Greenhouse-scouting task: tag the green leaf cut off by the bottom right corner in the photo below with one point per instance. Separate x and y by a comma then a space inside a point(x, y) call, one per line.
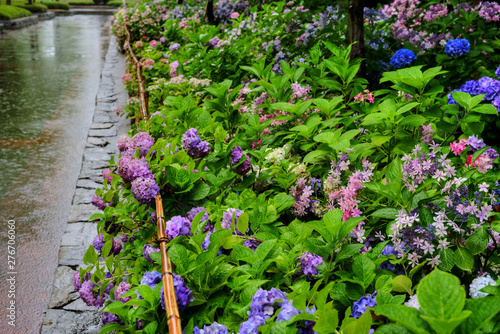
point(483, 310)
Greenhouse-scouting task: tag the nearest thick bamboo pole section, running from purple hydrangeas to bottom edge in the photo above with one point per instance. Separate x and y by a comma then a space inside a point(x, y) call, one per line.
point(173, 317)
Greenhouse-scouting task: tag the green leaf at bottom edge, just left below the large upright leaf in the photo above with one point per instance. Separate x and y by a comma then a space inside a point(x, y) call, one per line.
point(408, 317)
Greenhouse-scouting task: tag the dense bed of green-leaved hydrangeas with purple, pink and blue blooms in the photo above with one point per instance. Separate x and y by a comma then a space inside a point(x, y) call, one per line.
point(299, 197)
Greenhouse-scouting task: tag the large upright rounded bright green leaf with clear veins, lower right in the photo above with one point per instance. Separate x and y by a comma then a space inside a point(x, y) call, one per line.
point(440, 295)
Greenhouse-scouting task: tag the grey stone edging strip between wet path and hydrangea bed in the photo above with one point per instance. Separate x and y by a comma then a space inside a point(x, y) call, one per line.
point(66, 312)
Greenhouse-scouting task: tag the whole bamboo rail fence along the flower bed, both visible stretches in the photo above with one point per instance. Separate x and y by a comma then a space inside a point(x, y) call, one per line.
point(173, 317)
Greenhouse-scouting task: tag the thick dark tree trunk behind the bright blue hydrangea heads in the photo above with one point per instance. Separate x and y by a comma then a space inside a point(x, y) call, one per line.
point(356, 33)
